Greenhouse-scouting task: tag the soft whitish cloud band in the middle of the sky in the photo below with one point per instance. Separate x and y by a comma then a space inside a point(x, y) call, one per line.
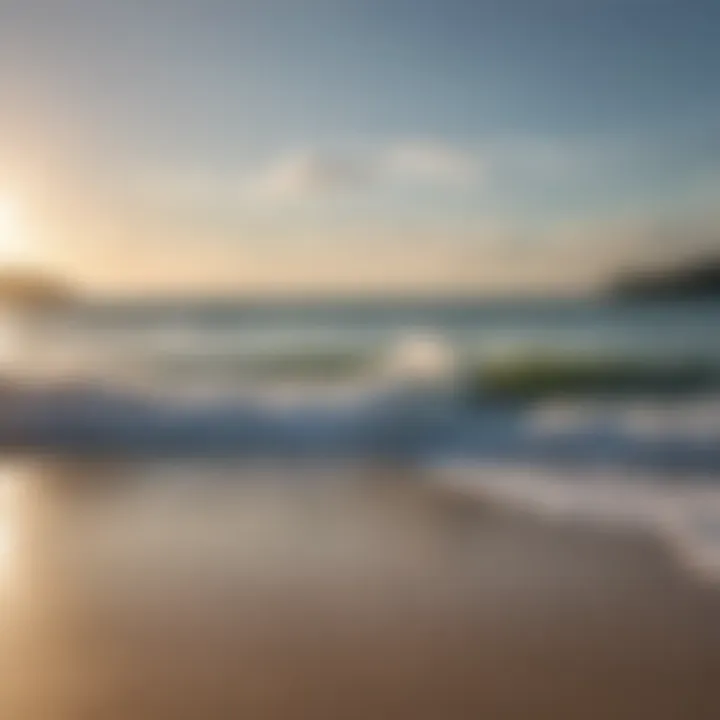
point(493, 165)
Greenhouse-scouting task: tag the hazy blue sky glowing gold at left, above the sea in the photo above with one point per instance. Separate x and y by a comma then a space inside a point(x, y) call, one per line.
point(359, 145)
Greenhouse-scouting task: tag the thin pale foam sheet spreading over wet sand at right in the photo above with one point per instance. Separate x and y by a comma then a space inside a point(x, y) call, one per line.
point(685, 512)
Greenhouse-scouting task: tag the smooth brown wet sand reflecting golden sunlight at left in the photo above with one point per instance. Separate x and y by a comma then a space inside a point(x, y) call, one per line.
point(199, 592)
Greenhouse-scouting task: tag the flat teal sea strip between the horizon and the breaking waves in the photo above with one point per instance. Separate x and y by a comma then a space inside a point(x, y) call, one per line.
point(246, 335)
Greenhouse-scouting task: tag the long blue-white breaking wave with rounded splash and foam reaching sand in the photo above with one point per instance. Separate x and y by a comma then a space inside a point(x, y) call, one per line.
point(649, 464)
